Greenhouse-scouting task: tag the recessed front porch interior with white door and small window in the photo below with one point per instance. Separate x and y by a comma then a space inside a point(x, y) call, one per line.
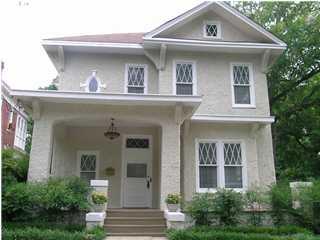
point(130, 163)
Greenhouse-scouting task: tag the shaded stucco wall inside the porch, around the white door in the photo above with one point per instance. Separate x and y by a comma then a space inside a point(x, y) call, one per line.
point(110, 155)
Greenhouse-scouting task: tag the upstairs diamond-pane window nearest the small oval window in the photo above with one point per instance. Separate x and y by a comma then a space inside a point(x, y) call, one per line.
point(136, 78)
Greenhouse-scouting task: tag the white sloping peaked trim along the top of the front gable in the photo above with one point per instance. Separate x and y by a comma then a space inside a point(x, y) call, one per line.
point(196, 11)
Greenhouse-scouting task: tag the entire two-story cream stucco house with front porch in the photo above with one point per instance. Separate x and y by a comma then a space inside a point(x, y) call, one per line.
point(189, 99)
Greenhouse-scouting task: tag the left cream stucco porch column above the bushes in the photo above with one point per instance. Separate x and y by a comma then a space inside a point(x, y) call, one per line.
point(40, 155)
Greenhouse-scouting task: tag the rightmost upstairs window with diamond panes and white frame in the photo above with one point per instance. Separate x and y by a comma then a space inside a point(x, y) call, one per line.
point(242, 85)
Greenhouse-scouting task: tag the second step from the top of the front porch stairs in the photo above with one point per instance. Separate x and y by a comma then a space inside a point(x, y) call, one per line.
point(135, 221)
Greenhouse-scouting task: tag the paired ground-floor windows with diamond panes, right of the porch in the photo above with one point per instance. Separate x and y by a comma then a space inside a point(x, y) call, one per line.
point(220, 164)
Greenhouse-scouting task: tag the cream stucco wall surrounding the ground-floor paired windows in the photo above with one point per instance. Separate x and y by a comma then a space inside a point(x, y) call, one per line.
point(258, 153)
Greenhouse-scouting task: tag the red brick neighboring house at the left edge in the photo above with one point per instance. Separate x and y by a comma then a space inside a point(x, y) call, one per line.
point(13, 122)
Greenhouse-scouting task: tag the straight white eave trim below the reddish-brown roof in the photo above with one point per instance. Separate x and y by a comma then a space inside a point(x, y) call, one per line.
point(90, 44)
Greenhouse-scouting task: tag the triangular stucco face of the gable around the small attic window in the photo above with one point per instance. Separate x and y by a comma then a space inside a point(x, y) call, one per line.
point(229, 32)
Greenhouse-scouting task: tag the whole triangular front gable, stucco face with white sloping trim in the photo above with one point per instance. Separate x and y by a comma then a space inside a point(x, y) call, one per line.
point(235, 27)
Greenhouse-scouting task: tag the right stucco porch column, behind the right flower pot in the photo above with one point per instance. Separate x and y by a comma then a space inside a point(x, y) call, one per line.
point(170, 161)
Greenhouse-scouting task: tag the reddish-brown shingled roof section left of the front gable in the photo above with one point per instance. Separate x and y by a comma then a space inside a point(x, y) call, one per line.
point(134, 38)
